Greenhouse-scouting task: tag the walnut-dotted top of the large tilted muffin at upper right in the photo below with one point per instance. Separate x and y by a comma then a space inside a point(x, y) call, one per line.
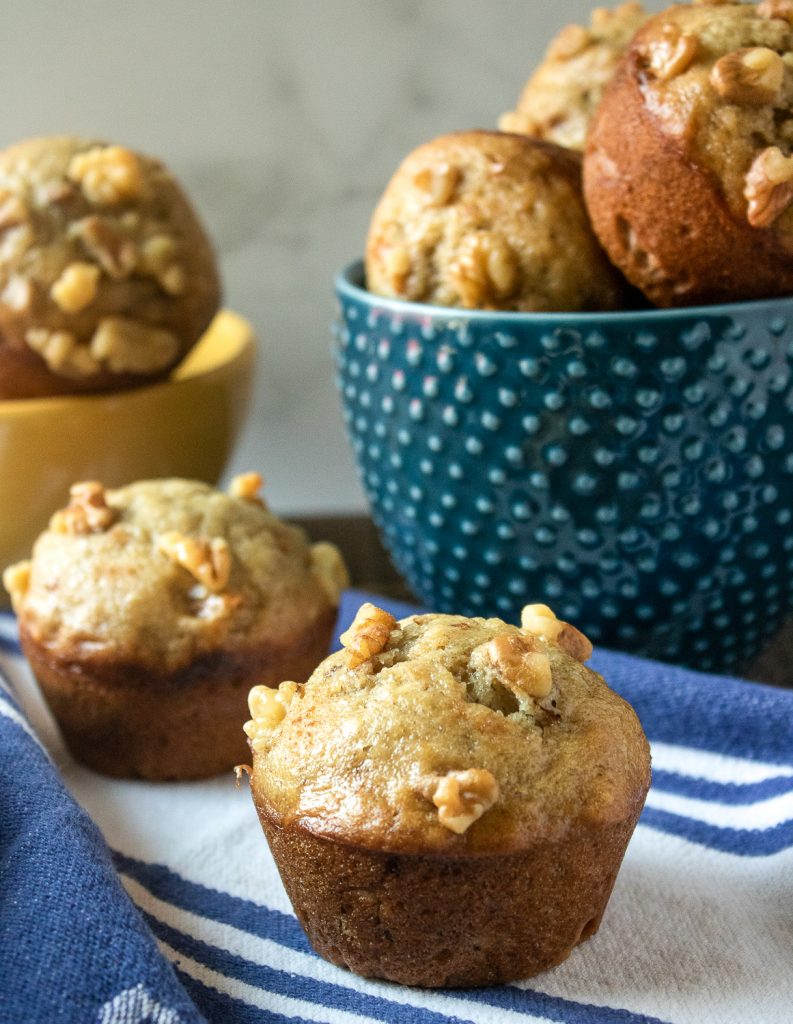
point(718, 78)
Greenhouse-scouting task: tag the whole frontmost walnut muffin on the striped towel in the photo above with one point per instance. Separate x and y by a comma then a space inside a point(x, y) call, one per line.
point(449, 799)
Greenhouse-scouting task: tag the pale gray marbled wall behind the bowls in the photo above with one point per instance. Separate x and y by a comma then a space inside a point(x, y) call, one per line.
point(284, 120)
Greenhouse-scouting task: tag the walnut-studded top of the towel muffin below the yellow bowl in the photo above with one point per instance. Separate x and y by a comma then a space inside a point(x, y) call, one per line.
point(162, 572)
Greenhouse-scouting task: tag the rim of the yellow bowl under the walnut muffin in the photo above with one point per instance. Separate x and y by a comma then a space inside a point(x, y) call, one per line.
point(226, 322)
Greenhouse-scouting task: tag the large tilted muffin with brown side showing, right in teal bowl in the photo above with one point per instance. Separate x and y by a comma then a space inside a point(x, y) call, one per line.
point(689, 172)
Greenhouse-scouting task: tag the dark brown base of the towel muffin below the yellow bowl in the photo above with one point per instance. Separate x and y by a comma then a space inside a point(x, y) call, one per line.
point(131, 722)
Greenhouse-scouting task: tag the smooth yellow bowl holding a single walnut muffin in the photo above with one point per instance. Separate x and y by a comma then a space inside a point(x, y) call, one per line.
point(184, 426)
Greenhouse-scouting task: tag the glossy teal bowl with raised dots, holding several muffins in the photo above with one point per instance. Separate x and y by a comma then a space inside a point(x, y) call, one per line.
point(633, 471)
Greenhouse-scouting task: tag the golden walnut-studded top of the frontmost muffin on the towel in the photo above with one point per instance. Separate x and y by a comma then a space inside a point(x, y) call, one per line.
point(442, 734)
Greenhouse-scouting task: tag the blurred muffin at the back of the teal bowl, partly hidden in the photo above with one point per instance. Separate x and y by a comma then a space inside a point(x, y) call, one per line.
point(560, 99)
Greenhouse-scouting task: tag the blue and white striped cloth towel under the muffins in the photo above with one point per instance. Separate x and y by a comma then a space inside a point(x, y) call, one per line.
point(699, 930)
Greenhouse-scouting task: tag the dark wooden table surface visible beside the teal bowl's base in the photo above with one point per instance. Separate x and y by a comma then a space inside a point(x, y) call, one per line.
point(371, 570)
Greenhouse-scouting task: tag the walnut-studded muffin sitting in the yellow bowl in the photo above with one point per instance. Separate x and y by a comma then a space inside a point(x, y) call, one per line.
point(107, 277)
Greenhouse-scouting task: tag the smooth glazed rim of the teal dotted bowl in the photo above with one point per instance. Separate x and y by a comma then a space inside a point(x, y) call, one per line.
point(350, 285)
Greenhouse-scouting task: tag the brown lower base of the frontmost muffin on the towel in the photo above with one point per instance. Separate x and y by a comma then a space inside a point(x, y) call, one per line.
point(457, 922)
